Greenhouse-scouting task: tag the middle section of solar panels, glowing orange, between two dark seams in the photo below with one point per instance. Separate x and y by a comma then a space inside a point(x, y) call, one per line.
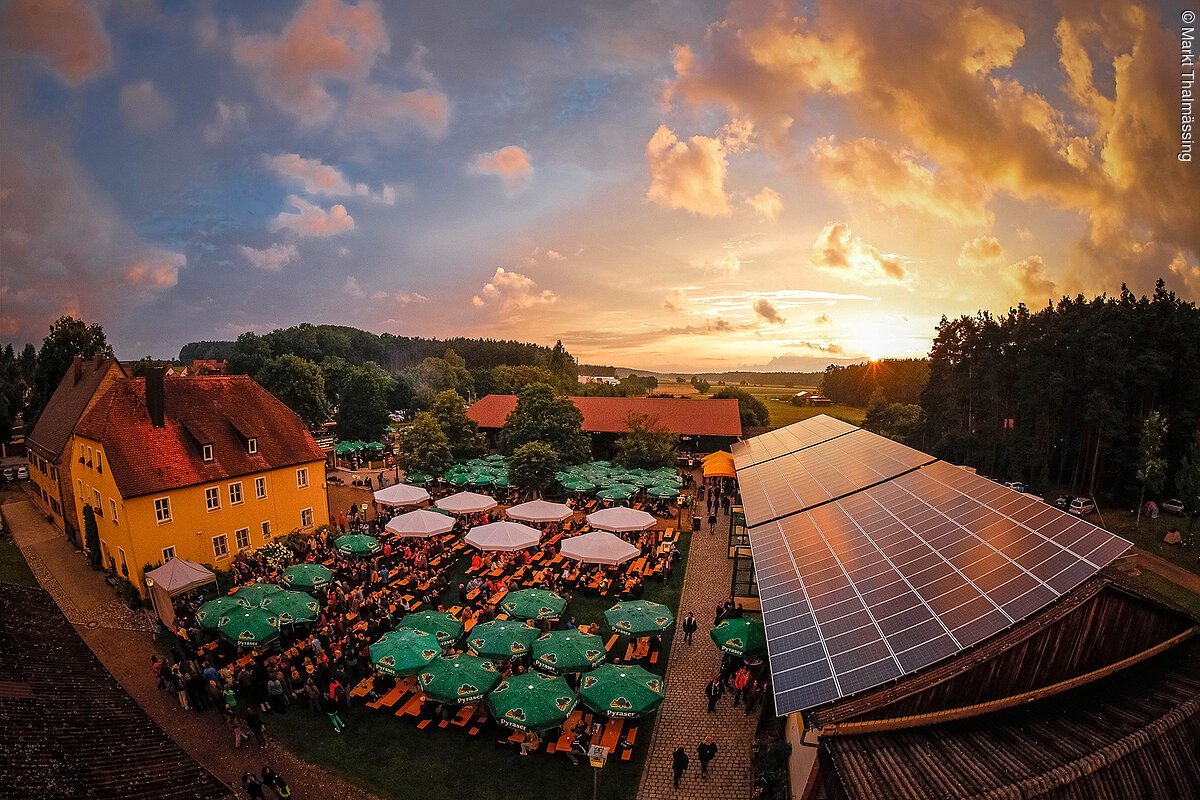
point(823, 472)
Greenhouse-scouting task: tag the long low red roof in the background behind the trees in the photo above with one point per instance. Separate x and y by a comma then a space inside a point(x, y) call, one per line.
point(704, 418)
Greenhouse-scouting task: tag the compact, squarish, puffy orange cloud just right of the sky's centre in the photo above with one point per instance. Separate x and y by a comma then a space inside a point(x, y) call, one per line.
point(688, 176)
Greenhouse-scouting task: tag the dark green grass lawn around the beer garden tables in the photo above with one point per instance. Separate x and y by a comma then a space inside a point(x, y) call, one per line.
point(391, 757)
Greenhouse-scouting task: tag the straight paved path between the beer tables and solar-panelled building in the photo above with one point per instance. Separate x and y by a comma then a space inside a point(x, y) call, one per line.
point(685, 719)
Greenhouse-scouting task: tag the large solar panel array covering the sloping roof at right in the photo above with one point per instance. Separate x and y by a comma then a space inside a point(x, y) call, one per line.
point(879, 582)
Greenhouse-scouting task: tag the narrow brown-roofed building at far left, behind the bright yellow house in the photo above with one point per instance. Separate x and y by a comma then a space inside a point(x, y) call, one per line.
point(51, 444)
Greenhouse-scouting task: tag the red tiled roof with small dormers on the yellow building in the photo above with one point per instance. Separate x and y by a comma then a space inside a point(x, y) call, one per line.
point(146, 460)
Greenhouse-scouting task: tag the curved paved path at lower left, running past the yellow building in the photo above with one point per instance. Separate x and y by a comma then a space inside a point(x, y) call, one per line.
point(123, 641)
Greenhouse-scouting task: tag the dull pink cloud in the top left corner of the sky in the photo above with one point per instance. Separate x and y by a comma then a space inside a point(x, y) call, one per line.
point(67, 35)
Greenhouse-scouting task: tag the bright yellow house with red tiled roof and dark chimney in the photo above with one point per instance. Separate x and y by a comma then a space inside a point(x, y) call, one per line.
point(197, 468)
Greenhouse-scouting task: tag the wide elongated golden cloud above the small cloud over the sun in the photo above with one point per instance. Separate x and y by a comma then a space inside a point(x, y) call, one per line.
point(868, 171)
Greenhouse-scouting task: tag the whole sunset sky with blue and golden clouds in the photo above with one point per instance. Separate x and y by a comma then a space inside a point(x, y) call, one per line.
point(677, 185)
